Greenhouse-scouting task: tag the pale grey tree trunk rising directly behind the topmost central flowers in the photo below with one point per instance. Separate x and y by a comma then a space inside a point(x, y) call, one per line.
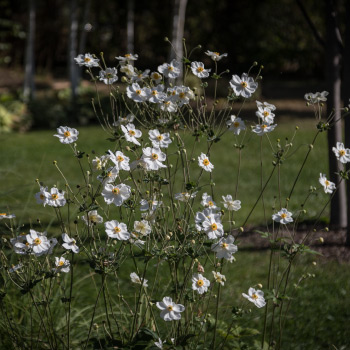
point(178, 30)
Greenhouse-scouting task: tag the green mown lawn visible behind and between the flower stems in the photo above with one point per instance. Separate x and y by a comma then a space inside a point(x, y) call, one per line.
point(319, 314)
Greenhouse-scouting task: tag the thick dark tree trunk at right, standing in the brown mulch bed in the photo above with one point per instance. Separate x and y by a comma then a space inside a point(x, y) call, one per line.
point(333, 62)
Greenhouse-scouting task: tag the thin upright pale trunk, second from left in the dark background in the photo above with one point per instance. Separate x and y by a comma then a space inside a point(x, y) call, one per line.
point(73, 74)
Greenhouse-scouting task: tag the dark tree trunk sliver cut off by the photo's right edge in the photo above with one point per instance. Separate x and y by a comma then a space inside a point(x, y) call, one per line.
point(346, 97)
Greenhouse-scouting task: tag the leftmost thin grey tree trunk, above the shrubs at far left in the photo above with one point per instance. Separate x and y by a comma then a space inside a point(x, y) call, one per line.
point(29, 82)
